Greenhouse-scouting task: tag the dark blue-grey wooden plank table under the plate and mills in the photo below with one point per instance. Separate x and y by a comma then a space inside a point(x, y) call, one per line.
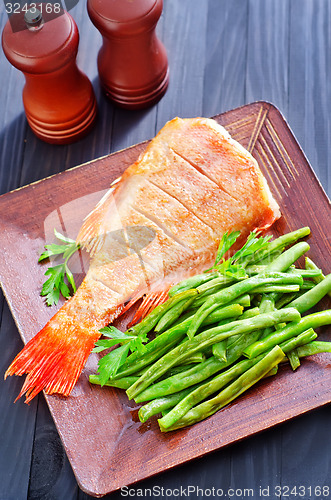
point(222, 54)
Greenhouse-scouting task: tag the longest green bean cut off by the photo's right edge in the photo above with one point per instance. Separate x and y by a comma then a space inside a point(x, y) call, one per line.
point(292, 329)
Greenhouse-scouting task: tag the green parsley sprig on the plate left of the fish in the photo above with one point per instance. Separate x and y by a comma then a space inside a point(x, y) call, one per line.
point(60, 279)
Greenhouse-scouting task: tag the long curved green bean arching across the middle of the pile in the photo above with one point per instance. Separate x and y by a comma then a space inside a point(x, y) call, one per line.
point(204, 339)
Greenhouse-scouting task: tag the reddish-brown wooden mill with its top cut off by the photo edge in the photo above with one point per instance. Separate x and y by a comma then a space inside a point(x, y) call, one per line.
point(132, 62)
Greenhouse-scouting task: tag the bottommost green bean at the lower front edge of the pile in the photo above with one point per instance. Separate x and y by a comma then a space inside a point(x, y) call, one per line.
point(232, 391)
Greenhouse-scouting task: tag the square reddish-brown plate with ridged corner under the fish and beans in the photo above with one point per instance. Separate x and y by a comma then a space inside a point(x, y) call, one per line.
point(99, 427)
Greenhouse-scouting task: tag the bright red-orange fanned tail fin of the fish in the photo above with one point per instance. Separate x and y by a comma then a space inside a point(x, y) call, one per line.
point(53, 359)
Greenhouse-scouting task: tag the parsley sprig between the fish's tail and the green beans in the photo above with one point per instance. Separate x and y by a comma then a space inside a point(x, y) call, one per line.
point(109, 364)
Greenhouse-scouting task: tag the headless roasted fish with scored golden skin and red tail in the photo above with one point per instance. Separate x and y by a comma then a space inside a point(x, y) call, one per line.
point(160, 222)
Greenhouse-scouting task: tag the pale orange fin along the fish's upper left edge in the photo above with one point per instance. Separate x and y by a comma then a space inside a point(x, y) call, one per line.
point(91, 235)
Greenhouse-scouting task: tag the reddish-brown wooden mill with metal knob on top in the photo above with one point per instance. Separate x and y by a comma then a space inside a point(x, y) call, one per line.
point(58, 98)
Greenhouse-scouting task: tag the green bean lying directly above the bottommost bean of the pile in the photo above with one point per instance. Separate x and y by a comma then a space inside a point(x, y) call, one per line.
point(204, 391)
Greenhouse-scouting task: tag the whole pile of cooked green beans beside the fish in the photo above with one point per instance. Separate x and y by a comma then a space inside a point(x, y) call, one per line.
point(216, 335)
